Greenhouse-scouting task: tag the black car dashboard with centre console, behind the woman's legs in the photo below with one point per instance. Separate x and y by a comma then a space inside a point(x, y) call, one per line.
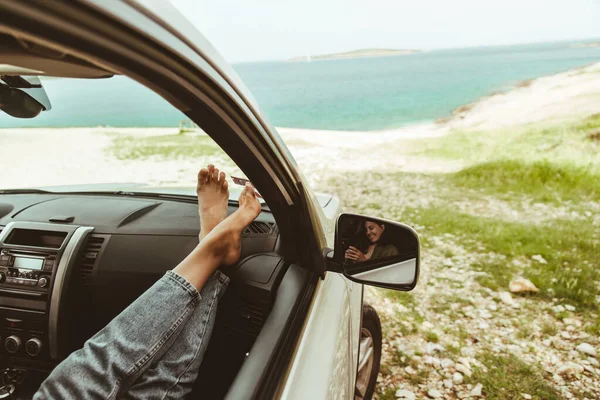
point(70, 263)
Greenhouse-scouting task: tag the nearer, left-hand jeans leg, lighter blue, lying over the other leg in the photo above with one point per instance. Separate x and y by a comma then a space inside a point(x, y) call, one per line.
point(122, 350)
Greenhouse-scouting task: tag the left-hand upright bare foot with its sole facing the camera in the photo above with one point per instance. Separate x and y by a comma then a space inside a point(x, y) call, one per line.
point(213, 195)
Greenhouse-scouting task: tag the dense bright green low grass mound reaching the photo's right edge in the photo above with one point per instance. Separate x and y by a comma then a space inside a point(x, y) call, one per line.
point(541, 180)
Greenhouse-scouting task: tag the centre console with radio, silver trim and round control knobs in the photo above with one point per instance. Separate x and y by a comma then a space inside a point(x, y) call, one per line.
point(36, 260)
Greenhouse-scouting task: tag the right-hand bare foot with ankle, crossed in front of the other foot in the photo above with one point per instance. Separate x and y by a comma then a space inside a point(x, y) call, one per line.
point(226, 237)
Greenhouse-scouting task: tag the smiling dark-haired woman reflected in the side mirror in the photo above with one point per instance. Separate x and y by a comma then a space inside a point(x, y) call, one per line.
point(372, 244)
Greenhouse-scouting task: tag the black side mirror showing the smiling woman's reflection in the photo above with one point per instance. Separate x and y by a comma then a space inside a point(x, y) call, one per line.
point(377, 252)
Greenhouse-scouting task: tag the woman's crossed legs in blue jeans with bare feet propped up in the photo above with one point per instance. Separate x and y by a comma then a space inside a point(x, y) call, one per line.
point(155, 346)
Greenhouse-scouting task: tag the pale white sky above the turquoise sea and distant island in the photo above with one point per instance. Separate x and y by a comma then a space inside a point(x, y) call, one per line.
point(245, 31)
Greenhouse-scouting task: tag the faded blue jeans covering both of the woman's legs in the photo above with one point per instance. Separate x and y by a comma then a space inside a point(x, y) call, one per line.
point(152, 350)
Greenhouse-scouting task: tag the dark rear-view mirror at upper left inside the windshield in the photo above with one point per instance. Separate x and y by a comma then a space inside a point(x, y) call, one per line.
point(22, 97)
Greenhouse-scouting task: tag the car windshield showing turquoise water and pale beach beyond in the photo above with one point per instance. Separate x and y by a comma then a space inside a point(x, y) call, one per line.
point(109, 134)
